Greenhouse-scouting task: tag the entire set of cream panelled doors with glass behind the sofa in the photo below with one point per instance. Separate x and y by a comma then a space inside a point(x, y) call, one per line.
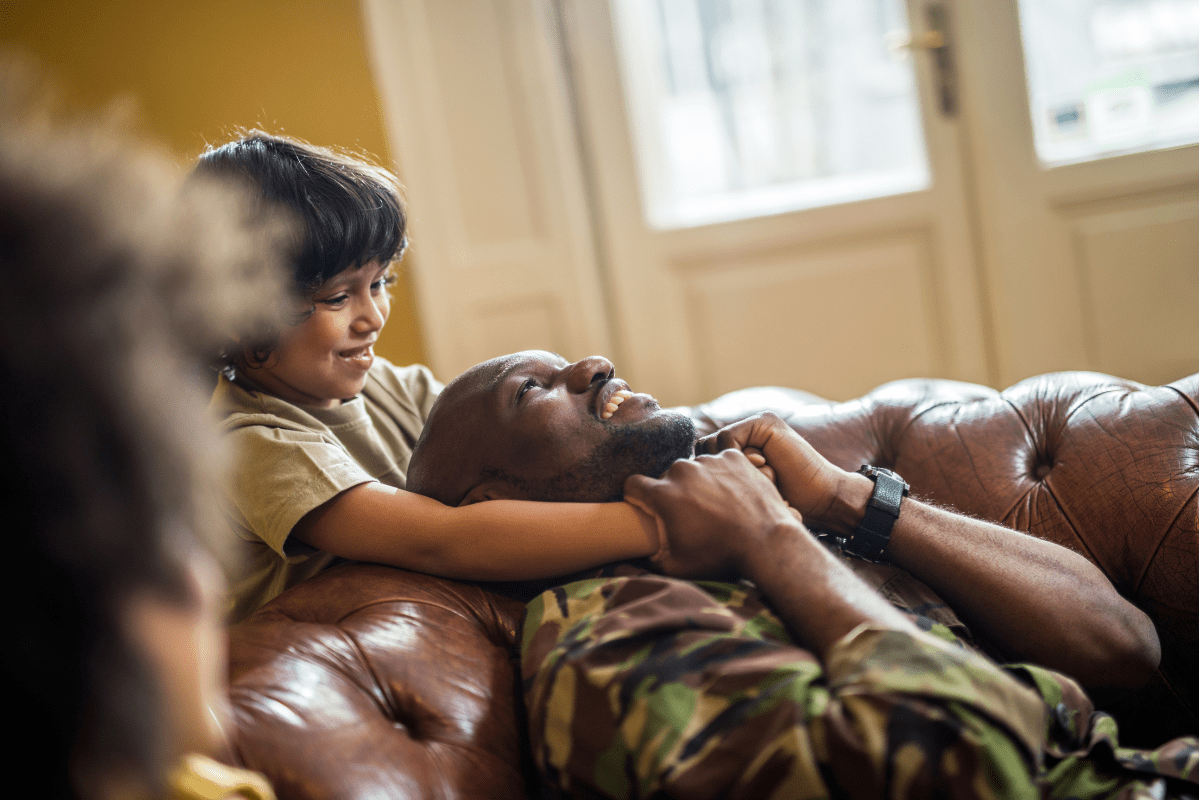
point(538, 221)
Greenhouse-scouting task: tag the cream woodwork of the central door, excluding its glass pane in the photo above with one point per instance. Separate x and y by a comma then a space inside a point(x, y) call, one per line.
point(833, 300)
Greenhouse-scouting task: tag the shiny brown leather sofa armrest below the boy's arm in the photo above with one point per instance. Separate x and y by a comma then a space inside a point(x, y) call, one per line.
point(373, 683)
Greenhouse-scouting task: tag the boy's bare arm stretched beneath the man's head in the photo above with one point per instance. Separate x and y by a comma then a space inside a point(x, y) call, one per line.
point(524, 540)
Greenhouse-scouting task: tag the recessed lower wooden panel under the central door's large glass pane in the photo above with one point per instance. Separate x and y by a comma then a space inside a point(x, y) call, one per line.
point(797, 310)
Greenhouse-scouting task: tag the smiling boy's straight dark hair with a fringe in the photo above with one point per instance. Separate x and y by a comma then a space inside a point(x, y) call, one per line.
point(350, 212)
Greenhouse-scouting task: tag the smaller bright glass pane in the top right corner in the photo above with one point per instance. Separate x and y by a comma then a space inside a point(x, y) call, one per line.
point(1111, 76)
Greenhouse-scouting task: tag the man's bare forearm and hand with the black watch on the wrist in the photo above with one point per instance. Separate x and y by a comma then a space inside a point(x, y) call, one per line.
point(1039, 601)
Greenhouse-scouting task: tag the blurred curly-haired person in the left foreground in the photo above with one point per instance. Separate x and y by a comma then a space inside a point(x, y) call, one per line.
point(116, 285)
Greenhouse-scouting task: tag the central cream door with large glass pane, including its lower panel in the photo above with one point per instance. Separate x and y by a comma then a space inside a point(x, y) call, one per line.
point(823, 293)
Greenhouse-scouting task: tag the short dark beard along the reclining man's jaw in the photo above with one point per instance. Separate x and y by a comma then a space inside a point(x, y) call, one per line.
point(641, 449)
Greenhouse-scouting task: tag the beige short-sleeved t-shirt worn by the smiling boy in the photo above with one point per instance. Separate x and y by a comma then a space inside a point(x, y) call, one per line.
point(289, 460)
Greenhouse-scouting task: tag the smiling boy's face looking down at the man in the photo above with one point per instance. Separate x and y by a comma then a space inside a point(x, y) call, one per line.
point(325, 360)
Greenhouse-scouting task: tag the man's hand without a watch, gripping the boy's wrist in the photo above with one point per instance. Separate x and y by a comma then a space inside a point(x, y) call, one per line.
point(715, 512)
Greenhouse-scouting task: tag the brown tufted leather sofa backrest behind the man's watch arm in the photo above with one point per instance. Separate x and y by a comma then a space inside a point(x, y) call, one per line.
point(1102, 466)
